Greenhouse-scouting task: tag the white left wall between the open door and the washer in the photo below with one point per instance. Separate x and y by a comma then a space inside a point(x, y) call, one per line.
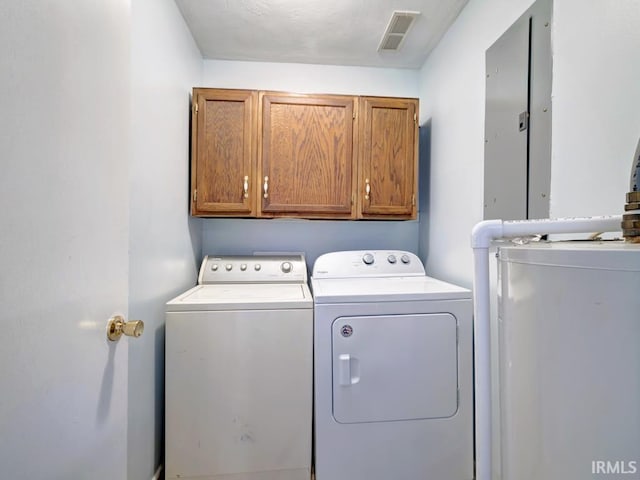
point(164, 239)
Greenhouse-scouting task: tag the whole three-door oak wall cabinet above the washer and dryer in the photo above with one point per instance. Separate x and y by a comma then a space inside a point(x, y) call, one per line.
point(273, 154)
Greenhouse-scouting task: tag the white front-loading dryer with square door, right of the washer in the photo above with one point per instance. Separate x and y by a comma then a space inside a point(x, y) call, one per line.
point(393, 370)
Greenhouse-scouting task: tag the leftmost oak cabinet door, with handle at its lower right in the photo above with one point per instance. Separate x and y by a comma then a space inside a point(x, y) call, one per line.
point(223, 152)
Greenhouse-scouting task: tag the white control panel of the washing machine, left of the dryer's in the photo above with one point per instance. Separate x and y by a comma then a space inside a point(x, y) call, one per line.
point(253, 269)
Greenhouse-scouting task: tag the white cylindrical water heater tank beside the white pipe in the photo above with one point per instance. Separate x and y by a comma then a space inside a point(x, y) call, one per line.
point(569, 356)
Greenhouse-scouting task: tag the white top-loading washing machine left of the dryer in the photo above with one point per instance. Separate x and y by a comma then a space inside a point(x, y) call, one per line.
point(238, 372)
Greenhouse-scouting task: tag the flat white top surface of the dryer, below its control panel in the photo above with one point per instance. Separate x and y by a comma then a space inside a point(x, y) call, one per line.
point(386, 289)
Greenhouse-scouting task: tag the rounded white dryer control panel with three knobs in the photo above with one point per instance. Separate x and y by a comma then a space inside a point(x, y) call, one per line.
point(368, 263)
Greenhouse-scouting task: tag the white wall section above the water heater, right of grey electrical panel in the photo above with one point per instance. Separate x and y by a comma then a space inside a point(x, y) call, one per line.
point(596, 105)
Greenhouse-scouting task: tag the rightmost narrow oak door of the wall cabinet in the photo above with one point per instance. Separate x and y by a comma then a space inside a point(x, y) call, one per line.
point(388, 158)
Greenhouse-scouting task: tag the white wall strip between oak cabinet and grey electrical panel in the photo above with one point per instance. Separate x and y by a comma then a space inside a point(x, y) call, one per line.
point(452, 95)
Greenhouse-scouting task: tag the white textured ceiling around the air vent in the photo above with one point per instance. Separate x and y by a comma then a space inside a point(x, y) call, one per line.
point(333, 32)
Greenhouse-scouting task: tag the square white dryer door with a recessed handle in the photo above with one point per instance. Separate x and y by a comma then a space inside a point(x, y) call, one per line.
point(394, 367)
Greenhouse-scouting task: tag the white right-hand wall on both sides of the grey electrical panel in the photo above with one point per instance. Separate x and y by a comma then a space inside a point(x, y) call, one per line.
point(596, 119)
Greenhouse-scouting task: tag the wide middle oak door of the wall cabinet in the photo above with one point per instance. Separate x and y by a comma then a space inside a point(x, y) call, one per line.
point(306, 155)
